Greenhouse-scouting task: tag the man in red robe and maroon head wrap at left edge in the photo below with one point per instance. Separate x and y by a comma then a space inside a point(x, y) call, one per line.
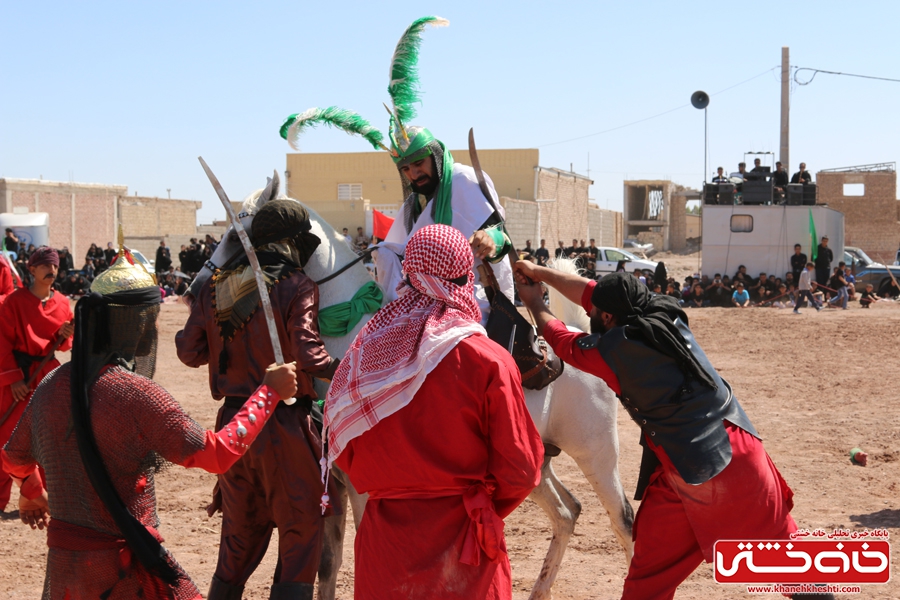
point(31, 321)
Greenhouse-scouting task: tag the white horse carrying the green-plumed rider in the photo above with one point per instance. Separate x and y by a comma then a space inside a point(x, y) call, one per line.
point(575, 414)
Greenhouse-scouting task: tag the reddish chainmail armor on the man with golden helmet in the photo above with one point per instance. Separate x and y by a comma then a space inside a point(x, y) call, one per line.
point(137, 424)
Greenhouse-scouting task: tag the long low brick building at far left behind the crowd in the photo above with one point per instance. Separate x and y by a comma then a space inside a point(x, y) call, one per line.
point(86, 213)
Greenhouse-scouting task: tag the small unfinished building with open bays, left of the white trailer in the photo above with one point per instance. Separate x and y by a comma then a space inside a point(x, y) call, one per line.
point(654, 212)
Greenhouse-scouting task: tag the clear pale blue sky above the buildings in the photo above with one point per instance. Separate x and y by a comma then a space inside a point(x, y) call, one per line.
point(131, 93)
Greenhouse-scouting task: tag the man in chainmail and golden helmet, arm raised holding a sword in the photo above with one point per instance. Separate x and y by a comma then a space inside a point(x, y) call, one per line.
point(101, 428)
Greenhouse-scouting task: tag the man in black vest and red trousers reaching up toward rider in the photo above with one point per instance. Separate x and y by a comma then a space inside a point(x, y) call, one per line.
point(705, 475)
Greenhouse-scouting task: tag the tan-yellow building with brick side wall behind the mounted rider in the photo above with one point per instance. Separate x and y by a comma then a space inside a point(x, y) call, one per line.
point(540, 202)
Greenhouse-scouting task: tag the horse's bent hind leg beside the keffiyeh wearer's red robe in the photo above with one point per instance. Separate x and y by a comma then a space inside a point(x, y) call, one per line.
point(563, 509)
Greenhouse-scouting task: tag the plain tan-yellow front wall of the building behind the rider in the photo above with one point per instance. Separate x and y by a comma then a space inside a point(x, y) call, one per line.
point(315, 176)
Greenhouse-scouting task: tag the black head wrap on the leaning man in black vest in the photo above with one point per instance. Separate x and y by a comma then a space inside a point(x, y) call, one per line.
point(651, 317)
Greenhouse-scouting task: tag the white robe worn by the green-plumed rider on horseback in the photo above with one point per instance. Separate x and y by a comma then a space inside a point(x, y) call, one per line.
point(470, 211)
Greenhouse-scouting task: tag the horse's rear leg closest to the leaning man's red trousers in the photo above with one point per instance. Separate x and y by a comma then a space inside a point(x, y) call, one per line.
point(602, 471)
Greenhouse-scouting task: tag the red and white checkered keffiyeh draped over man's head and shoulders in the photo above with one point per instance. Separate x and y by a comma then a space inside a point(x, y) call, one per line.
point(405, 340)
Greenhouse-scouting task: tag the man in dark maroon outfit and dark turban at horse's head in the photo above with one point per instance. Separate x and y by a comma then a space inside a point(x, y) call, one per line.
point(277, 484)
